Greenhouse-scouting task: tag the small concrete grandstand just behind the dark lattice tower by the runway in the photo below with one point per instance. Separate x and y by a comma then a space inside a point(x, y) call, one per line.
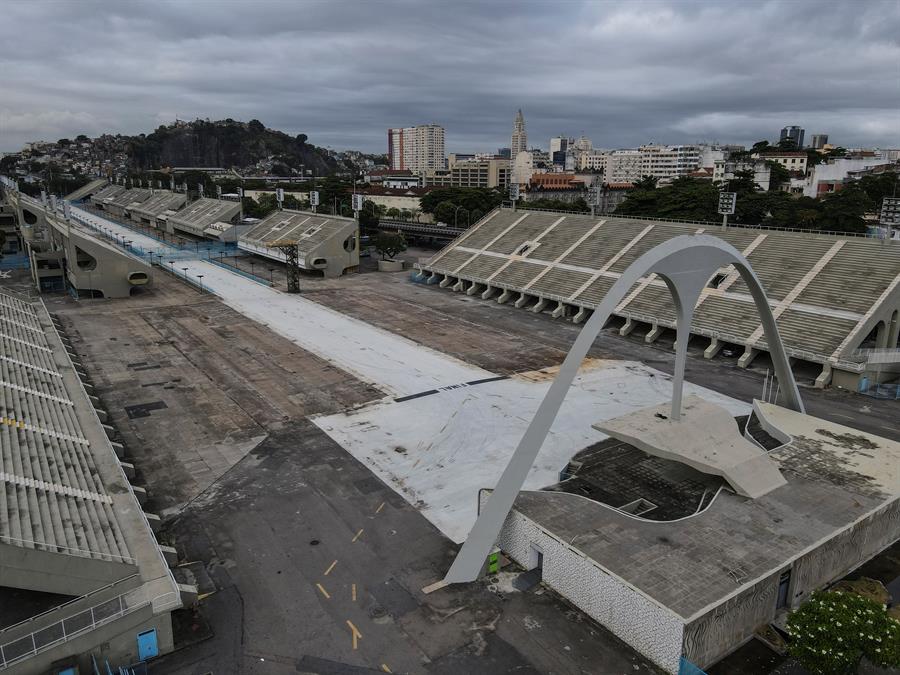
point(326, 243)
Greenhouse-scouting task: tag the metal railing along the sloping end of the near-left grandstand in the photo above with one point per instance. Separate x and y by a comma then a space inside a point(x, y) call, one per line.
point(73, 625)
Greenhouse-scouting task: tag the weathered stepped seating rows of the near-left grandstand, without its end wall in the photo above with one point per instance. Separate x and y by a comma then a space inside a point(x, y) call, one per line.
point(52, 496)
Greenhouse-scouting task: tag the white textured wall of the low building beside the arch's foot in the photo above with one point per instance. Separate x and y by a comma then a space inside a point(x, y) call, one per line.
point(652, 630)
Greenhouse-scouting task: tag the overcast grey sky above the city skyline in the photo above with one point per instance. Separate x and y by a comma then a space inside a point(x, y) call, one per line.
point(623, 73)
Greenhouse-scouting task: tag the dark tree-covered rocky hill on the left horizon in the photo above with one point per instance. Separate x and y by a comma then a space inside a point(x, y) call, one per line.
point(225, 143)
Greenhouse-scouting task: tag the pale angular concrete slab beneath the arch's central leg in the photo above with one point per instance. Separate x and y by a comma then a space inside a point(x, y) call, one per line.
point(705, 438)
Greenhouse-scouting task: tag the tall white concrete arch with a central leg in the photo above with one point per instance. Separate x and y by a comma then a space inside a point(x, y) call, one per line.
point(686, 264)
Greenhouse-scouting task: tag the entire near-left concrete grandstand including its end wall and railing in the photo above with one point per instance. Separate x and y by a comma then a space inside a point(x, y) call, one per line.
point(70, 522)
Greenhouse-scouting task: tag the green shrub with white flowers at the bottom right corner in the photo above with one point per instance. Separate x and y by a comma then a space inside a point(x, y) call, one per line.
point(832, 631)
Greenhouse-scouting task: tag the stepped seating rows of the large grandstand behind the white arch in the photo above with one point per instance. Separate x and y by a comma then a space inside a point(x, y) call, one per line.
point(830, 287)
